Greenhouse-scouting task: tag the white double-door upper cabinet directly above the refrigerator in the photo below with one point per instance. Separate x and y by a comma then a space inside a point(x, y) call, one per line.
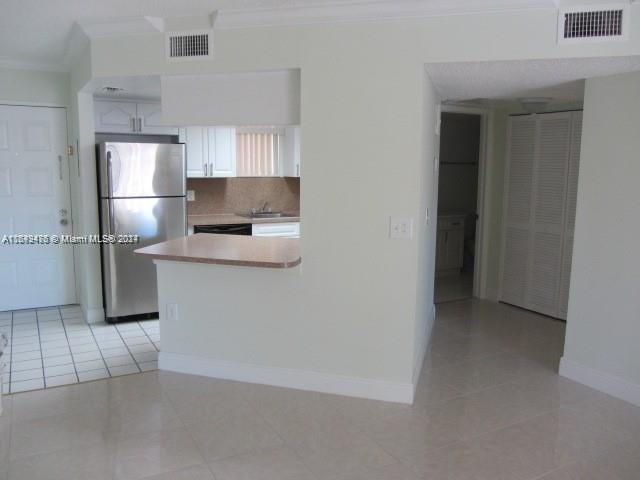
point(130, 117)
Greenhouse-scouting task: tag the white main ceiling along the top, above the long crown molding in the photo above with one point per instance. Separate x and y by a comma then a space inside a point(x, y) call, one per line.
point(39, 31)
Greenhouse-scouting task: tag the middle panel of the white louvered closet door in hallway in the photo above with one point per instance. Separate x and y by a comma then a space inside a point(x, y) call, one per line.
point(549, 195)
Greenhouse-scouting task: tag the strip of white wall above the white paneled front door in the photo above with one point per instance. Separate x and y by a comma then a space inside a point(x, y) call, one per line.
point(34, 87)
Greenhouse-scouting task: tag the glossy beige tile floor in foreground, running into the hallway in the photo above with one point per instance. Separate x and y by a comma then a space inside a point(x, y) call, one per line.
point(489, 406)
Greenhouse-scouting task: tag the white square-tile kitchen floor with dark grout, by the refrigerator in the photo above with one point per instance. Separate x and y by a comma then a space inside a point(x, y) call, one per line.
point(54, 346)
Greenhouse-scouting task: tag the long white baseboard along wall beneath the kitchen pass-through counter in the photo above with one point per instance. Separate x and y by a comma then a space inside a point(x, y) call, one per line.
point(288, 378)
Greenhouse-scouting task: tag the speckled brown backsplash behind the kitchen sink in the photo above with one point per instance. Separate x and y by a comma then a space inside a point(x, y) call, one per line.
point(240, 195)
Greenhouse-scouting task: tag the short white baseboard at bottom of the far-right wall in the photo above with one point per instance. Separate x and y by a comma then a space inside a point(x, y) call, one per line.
point(607, 383)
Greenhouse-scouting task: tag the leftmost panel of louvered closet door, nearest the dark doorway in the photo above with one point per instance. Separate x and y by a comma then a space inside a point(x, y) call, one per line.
point(518, 219)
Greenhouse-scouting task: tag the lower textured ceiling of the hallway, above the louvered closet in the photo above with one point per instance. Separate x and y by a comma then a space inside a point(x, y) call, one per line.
point(560, 79)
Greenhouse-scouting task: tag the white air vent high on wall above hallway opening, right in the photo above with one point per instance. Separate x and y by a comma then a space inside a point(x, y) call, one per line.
point(593, 23)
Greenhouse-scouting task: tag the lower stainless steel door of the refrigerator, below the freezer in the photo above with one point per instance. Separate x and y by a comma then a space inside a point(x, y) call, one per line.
point(129, 280)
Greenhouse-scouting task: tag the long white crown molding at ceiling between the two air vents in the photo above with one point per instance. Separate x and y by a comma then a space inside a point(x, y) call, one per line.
point(372, 10)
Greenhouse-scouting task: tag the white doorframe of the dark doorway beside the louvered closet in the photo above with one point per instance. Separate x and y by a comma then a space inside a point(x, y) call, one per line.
point(483, 228)
